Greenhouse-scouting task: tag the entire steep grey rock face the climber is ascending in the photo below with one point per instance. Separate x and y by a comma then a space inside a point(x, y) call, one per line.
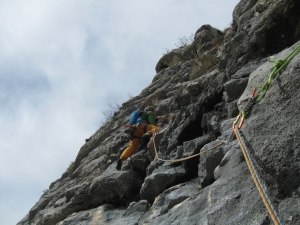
point(200, 89)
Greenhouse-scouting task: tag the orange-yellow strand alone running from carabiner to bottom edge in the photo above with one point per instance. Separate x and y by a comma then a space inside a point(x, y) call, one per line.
point(259, 188)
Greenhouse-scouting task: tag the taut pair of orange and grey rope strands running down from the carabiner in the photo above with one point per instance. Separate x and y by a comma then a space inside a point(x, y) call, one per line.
point(255, 177)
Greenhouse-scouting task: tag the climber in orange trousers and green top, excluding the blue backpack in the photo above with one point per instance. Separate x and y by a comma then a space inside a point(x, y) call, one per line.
point(148, 125)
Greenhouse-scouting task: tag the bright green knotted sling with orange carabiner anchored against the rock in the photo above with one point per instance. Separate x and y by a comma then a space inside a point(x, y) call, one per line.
point(279, 65)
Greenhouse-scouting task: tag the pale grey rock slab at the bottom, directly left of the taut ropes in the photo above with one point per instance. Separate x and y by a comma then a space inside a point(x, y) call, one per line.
point(227, 202)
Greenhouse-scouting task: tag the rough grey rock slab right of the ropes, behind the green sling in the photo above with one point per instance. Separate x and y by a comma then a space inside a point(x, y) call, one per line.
point(274, 142)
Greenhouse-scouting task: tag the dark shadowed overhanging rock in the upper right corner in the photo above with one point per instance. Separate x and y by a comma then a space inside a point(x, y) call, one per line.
point(254, 32)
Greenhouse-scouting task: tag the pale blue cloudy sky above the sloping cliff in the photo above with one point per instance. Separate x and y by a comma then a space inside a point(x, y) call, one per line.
point(62, 62)
